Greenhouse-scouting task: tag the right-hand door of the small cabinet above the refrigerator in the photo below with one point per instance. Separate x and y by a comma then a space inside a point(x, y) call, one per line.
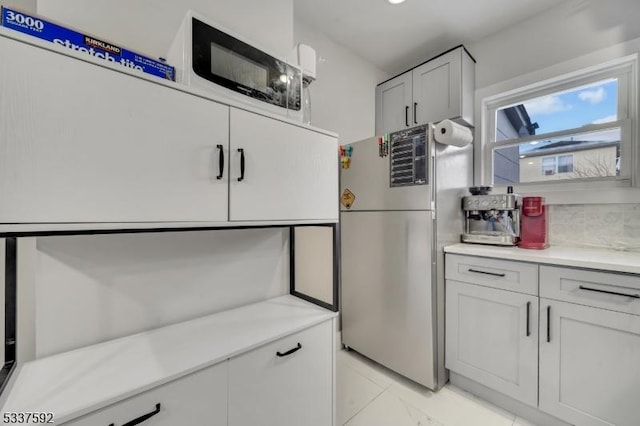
point(437, 87)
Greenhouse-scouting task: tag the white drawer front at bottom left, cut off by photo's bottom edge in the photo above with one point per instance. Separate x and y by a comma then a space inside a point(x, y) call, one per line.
point(197, 399)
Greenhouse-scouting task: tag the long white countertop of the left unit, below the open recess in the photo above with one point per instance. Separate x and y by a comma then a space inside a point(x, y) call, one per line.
point(75, 383)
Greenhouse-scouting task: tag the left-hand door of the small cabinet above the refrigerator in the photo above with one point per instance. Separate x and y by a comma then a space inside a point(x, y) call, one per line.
point(394, 107)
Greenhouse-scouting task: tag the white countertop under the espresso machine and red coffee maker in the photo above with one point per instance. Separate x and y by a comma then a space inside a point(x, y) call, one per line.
point(603, 259)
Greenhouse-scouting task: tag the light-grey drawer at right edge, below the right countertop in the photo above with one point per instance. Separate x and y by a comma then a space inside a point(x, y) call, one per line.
point(617, 292)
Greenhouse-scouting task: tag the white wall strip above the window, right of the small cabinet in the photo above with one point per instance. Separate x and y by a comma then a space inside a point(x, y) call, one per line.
point(573, 29)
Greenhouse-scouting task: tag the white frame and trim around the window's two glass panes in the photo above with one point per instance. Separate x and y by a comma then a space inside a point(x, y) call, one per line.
point(625, 69)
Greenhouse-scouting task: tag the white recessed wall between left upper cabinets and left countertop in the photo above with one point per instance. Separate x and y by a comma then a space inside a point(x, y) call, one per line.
point(94, 288)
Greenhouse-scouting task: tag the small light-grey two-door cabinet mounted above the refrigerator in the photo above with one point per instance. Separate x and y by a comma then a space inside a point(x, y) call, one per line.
point(442, 88)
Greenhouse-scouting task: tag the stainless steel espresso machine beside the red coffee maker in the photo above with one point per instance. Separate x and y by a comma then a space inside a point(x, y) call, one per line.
point(491, 218)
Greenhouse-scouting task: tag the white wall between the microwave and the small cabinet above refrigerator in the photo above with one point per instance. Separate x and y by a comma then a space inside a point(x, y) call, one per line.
point(343, 96)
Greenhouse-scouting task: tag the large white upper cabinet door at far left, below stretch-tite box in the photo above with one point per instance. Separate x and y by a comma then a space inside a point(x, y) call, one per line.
point(83, 143)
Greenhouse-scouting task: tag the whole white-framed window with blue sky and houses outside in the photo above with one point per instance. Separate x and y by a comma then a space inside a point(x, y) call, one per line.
point(573, 128)
